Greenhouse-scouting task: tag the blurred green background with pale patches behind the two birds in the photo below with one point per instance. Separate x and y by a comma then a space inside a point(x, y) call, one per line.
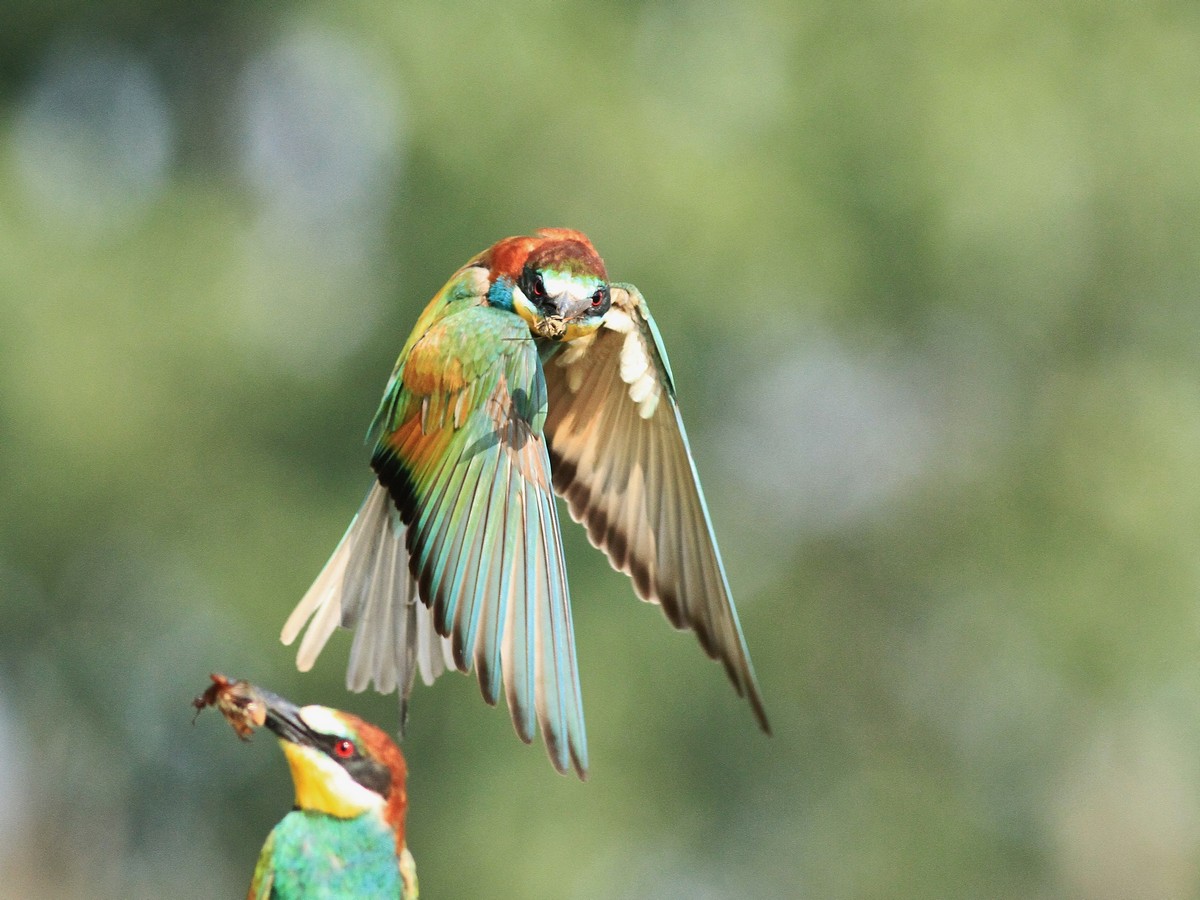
point(928, 275)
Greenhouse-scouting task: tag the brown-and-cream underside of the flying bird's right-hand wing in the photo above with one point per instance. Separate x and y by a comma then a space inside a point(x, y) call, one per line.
point(621, 459)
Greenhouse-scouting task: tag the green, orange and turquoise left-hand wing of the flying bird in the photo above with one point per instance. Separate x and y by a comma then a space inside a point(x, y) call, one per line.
point(465, 460)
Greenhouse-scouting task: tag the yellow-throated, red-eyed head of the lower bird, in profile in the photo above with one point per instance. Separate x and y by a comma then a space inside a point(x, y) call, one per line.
point(340, 765)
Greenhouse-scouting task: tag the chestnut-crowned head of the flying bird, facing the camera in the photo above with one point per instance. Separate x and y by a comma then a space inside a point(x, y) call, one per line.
point(555, 280)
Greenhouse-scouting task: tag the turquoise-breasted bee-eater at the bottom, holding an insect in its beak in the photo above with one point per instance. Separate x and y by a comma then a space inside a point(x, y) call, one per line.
point(346, 836)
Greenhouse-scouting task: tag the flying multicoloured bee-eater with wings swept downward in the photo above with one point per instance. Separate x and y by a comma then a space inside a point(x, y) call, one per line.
point(527, 375)
